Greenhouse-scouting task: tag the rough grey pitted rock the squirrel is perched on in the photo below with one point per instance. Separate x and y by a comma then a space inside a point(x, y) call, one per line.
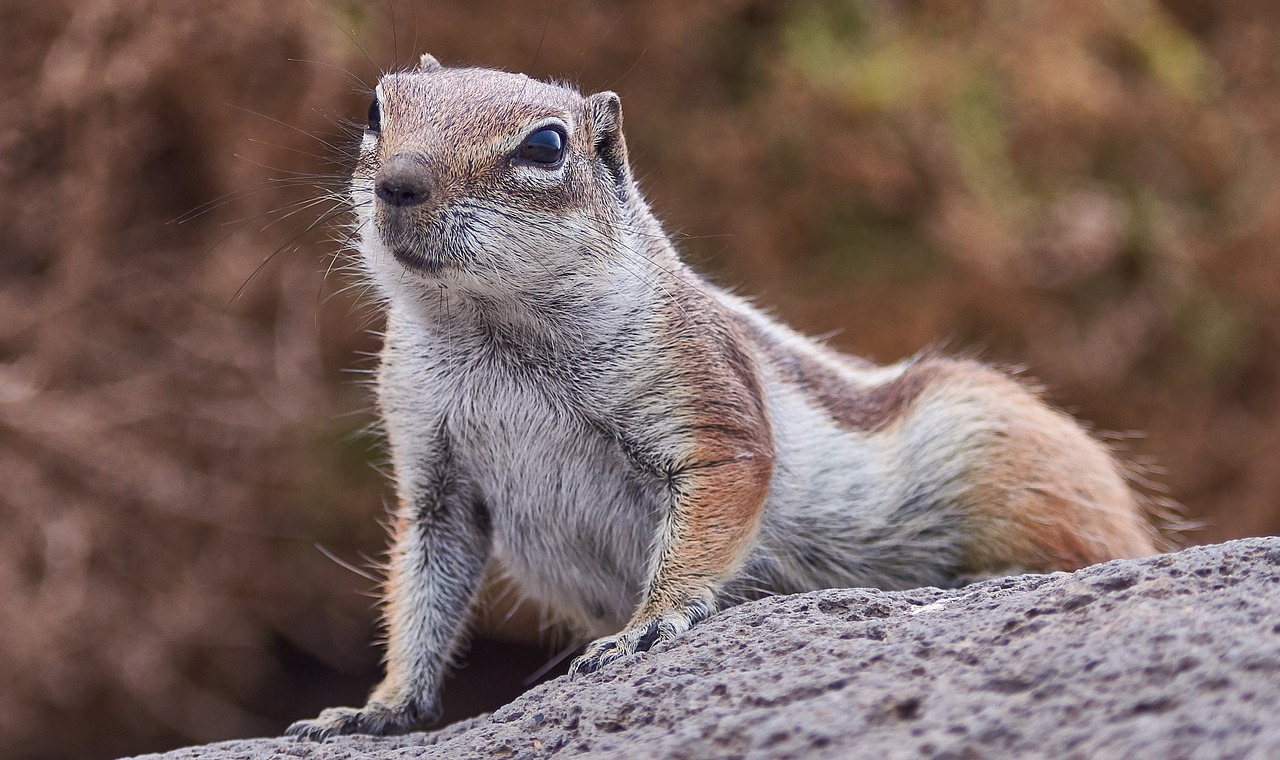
point(1169, 657)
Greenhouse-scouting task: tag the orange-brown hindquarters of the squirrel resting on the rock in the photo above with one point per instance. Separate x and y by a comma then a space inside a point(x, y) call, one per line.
point(1039, 493)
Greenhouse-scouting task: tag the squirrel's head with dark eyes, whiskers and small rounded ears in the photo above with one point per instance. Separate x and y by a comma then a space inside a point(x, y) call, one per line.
point(470, 172)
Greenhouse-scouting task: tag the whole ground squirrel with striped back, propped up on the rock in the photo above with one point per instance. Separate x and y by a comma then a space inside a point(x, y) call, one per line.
point(636, 446)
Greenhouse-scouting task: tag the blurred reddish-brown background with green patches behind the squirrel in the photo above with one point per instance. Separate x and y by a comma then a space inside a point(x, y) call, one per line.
point(1089, 190)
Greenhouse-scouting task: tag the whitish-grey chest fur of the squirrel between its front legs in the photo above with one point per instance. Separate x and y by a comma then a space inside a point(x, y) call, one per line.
point(572, 521)
